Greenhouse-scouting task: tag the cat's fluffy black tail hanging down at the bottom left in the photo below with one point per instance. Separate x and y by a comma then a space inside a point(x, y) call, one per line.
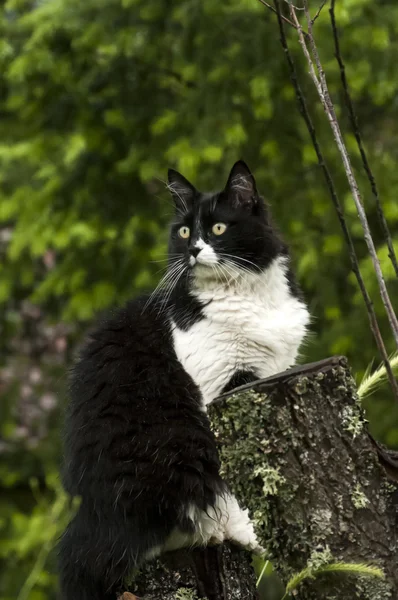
point(95, 557)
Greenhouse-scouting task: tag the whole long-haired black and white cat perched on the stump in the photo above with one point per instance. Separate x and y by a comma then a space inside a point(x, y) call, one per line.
point(138, 449)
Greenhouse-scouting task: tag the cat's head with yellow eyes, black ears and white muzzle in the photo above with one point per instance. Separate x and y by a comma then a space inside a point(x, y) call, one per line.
point(214, 234)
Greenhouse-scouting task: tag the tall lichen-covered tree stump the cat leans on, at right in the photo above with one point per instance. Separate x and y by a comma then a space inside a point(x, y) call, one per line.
point(296, 451)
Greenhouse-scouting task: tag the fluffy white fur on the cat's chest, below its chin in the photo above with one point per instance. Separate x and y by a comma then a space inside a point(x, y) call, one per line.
point(252, 324)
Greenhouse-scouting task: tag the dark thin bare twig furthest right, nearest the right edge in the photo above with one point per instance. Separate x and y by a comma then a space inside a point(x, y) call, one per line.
point(358, 137)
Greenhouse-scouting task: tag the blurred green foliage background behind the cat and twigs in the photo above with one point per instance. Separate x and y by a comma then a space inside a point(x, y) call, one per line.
point(97, 99)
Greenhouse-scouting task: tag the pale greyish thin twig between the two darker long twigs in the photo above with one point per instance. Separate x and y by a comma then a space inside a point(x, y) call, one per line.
point(323, 92)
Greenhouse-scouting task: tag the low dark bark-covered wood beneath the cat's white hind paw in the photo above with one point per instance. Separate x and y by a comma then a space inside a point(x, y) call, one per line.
point(216, 572)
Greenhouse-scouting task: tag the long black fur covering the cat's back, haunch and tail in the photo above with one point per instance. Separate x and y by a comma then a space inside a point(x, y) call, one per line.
point(138, 450)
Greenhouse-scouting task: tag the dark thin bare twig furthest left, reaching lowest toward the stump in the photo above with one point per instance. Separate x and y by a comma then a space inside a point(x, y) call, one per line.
point(332, 191)
